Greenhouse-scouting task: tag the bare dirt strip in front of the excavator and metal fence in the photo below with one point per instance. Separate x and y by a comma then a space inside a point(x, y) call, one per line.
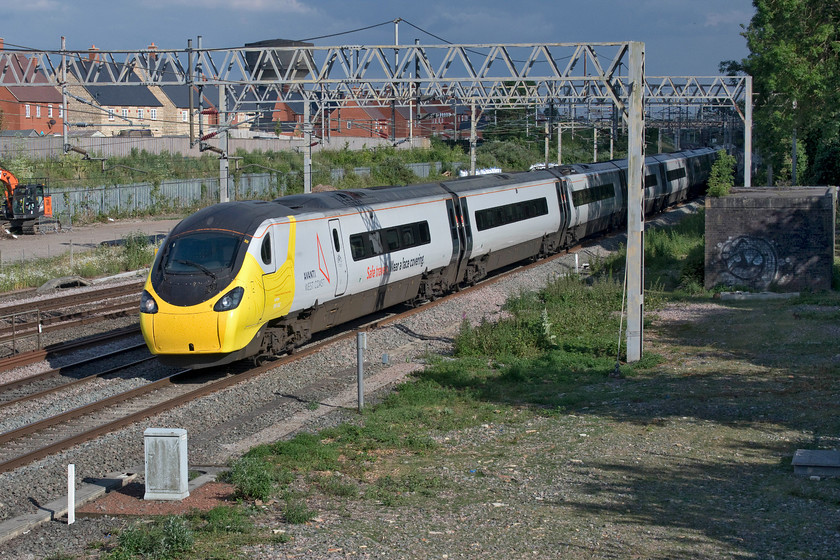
point(77, 238)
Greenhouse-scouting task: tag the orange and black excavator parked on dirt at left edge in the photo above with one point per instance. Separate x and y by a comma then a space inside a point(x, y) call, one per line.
point(27, 208)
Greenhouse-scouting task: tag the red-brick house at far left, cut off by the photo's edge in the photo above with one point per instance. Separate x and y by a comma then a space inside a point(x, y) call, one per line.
point(28, 107)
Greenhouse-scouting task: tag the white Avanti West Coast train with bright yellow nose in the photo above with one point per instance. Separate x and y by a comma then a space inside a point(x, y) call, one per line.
point(256, 279)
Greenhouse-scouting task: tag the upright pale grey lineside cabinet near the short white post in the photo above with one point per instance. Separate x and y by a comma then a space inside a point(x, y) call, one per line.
point(167, 476)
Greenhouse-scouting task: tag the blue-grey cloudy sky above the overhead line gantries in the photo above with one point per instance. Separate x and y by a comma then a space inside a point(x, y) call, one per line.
point(682, 37)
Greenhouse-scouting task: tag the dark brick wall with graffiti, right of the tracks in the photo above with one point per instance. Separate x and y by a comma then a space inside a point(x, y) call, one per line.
point(771, 239)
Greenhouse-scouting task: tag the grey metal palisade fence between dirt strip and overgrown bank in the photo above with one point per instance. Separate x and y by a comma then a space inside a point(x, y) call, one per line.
point(85, 204)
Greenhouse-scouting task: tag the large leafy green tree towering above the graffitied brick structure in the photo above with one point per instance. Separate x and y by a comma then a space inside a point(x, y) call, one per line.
point(795, 63)
